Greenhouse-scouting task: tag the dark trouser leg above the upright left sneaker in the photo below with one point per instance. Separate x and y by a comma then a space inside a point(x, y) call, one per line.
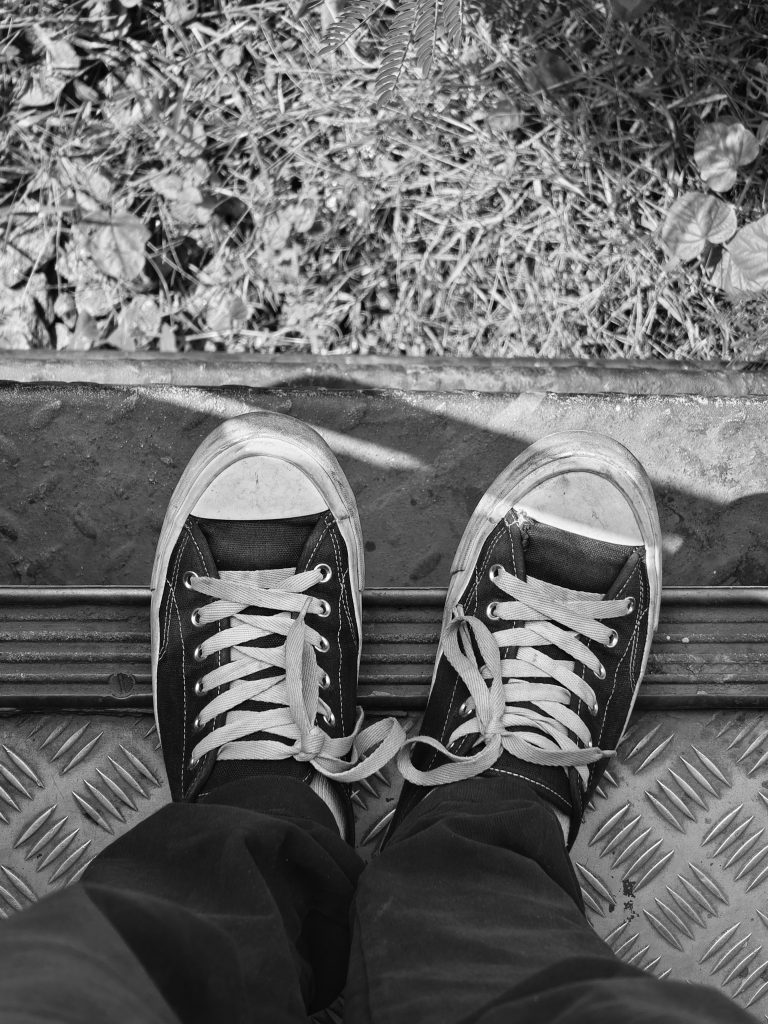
point(234, 909)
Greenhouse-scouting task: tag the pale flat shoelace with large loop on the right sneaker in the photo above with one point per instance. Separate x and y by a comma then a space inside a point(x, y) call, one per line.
point(541, 735)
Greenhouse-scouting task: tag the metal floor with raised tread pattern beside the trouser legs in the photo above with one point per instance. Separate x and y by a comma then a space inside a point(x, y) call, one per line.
point(673, 856)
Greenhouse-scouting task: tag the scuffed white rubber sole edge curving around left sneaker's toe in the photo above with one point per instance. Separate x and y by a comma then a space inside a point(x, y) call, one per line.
point(258, 435)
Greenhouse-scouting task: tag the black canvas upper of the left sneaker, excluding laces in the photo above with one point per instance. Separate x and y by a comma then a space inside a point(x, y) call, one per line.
point(209, 547)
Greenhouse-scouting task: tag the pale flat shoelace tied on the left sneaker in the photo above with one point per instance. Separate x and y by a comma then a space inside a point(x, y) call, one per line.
point(295, 688)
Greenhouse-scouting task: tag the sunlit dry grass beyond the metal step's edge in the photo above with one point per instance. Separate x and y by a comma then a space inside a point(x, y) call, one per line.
point(507, 205)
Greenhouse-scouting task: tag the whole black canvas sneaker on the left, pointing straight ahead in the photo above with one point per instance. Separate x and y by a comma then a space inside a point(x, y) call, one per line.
point(257, 612)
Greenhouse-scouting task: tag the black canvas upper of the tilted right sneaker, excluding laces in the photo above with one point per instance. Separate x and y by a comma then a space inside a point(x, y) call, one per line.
point(526, 547)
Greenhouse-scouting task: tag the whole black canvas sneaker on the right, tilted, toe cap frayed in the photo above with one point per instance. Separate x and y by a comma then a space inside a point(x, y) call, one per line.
point(554, 598)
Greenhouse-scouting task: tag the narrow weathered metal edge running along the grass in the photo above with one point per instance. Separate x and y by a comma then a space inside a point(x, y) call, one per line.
point(495, 376)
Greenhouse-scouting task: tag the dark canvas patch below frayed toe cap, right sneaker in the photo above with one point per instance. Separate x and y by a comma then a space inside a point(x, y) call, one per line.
point(571, 561)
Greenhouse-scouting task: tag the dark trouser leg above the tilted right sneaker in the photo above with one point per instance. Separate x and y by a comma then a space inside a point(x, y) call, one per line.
point(474, 913)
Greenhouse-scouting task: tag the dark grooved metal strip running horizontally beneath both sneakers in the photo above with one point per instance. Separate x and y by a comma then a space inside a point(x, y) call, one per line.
point(90, 648)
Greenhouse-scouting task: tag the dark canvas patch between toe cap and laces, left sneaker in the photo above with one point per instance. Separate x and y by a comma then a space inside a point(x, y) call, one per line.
point(266, 544)
